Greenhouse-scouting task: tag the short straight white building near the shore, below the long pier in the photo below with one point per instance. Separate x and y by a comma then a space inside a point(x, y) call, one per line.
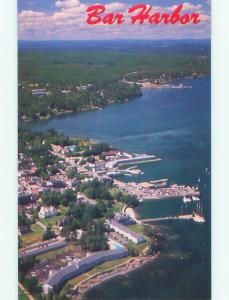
point(126, 232)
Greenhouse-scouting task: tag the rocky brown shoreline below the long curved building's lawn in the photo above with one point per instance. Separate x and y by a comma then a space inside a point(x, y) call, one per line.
point(112, 273)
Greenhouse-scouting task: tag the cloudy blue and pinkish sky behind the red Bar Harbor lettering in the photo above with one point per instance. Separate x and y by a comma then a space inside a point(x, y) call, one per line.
point(66, 20)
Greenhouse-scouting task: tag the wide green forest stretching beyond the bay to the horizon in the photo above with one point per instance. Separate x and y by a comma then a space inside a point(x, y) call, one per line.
point(76, 80)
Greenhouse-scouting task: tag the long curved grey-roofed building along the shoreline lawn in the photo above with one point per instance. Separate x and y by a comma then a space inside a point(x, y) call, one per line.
point(76, 268)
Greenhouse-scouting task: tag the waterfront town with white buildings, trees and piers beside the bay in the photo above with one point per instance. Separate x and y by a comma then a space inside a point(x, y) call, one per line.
point(77, 226)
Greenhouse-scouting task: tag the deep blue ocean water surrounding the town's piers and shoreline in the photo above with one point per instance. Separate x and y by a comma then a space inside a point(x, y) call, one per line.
point(175, 125)
